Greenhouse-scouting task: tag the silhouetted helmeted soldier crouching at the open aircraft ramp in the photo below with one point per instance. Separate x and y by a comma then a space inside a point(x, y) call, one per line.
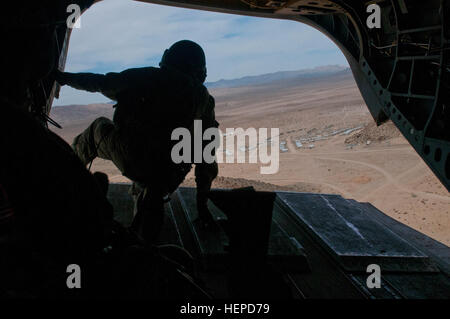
point(152, 102)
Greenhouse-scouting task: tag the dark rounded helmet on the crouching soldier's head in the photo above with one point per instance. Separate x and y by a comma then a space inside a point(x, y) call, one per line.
point(186, 56)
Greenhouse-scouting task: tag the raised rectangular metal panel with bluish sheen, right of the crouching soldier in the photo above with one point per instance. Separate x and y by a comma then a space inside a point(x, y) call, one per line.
point(348, 232)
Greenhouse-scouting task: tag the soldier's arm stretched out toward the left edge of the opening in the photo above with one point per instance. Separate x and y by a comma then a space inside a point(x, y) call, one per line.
point(109, 84)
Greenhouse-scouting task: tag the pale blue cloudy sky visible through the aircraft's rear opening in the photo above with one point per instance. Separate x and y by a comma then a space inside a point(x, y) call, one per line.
point(119, 34)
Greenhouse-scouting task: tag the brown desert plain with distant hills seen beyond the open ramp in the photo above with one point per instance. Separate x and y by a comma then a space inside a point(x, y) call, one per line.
point(330, 144)
